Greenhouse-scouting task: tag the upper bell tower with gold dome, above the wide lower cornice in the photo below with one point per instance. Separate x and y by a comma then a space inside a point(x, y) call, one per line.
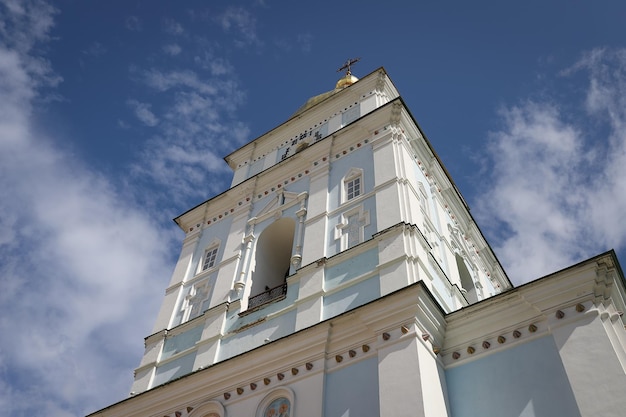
point(344, 203)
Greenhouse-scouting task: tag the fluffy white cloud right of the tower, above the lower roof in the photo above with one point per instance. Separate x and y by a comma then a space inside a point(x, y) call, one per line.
point(557, 185)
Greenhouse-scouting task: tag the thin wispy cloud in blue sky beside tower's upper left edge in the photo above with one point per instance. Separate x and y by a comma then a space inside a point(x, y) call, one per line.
point(197, 128)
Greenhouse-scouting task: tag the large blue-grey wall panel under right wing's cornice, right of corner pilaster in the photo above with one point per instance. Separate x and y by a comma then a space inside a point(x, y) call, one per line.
point(528, 380)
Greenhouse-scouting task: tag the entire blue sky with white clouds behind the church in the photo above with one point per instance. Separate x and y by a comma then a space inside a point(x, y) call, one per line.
point(115, 117)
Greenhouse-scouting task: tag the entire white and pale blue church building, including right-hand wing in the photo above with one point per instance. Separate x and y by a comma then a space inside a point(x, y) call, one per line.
point(342, 275)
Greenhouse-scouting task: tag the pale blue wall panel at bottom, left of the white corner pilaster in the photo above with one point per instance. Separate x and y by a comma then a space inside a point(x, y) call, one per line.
point(353, 391)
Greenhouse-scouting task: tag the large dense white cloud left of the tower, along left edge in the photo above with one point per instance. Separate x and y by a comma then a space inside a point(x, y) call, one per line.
point(81, 265)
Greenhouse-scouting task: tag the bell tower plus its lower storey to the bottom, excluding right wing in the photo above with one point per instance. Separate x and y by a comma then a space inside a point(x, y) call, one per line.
point(322, 275)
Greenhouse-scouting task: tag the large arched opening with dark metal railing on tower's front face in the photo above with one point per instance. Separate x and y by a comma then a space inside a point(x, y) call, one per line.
point(273, 257)
